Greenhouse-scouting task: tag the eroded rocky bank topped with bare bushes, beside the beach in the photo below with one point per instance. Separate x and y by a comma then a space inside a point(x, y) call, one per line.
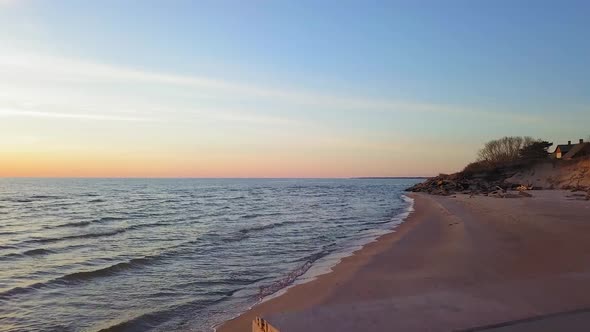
point(517, 164)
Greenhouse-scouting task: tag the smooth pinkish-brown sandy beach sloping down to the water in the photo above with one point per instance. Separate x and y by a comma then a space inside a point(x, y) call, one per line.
point(457, 263)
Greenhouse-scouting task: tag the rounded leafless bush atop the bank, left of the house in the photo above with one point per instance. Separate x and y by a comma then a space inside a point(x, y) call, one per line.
point(504, 150)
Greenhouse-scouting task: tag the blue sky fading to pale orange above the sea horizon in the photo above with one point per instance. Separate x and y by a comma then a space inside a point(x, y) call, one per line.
point(141, 88)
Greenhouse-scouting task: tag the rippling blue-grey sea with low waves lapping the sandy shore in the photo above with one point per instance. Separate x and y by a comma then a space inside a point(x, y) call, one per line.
point(172, 254)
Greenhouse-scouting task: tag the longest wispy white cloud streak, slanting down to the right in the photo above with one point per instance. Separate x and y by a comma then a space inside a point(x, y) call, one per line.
point(47, 68)
